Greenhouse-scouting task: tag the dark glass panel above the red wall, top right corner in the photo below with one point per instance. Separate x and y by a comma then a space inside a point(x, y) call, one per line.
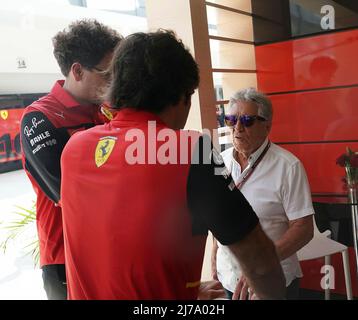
point(282, 20)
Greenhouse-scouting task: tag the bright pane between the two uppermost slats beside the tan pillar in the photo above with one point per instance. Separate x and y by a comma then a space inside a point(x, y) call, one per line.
point(229, 24)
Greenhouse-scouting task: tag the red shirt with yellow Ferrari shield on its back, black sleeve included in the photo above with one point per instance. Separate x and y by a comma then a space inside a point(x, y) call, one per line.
point(128, 230)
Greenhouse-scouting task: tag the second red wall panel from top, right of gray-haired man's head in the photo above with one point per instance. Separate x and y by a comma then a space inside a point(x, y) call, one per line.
point(315, 116)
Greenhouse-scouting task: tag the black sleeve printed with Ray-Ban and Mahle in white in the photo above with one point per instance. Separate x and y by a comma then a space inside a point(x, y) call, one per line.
point(42, 145)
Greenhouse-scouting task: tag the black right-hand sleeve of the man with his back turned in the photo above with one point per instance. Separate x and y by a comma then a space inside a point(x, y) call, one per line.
point(213, 199)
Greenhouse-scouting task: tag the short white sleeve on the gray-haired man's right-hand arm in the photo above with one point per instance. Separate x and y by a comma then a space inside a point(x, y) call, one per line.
point(297, 200)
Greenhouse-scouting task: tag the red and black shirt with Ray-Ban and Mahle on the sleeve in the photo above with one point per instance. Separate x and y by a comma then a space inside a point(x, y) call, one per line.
point(46, 126)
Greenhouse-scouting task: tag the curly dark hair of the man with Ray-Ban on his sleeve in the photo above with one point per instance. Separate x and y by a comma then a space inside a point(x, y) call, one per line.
point(86, 42)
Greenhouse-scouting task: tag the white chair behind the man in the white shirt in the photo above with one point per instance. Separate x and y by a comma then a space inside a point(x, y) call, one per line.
point(322, 246)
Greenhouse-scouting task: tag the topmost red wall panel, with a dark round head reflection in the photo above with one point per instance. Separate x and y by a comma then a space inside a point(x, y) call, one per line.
point(323, 61)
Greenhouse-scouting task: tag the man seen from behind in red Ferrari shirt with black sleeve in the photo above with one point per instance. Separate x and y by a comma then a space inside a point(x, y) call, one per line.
point(139, 194)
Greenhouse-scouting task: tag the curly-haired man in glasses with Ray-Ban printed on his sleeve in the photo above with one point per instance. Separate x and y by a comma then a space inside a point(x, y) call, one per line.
point(83, 53)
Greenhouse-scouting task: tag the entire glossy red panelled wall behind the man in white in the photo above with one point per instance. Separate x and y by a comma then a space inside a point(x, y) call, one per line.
point(313, 85)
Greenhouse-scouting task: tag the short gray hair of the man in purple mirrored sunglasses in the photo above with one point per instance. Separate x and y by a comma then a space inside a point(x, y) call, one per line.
point(252, 95)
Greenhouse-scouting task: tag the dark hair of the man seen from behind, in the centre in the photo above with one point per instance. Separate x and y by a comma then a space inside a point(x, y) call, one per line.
point(151, 71)
